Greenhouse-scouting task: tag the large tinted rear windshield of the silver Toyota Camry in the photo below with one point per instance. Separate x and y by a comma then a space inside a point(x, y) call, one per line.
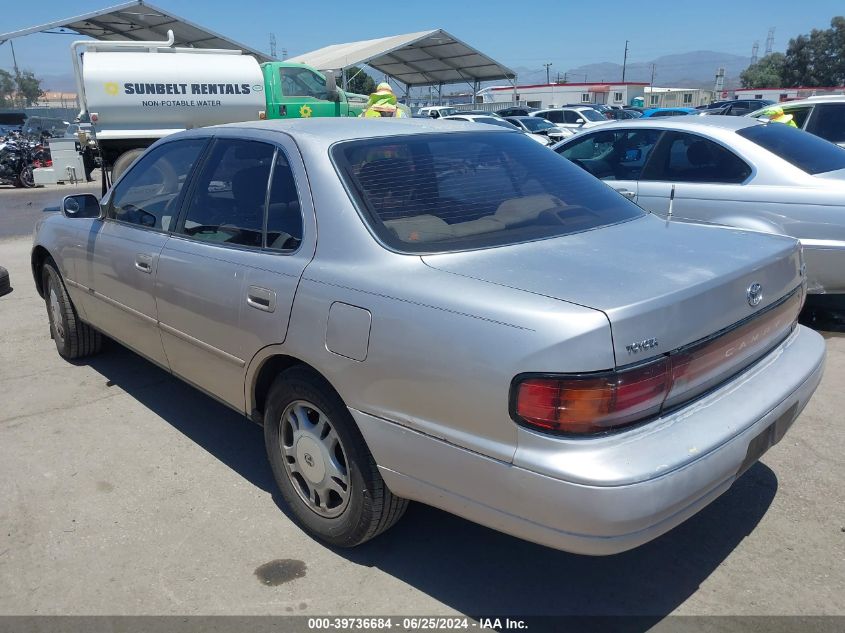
point(435, 193)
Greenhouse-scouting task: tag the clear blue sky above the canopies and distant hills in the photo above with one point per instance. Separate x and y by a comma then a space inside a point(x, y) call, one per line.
point(519, 34)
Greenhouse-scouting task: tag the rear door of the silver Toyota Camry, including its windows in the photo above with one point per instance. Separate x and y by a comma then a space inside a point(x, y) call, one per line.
point(227, 277)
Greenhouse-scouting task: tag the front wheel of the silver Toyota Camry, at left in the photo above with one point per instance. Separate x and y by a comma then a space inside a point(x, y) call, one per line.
point(73, 337)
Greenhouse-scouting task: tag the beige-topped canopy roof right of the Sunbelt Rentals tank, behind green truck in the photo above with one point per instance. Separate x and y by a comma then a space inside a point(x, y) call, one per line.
point(425, 58)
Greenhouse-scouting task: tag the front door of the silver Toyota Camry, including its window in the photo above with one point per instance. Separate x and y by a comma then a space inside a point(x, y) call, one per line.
point(118, 268)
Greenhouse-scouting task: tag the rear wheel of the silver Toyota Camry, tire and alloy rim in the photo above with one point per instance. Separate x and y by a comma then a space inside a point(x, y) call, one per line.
point(314, 446)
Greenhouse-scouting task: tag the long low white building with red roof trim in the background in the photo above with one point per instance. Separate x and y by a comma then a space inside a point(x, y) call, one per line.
point(556, 95)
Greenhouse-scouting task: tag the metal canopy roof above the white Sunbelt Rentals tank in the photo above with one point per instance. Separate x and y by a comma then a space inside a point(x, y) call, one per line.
point(139, 21)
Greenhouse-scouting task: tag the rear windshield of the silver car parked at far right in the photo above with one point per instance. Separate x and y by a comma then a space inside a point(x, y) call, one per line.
point(806, 151)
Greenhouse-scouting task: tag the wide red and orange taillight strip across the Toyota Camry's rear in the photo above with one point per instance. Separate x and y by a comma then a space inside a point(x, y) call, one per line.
point(593, 403)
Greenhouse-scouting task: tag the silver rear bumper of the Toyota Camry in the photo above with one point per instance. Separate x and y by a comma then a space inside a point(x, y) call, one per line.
point(607, 495)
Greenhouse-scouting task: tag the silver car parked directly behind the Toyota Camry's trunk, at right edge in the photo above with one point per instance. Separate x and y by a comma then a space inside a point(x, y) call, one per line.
point(734, 171)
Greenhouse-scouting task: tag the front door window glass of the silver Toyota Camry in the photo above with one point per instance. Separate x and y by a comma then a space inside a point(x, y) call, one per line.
point(148, 195)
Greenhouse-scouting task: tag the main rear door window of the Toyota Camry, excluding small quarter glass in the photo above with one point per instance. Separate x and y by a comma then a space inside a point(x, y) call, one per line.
point(228, 203)
